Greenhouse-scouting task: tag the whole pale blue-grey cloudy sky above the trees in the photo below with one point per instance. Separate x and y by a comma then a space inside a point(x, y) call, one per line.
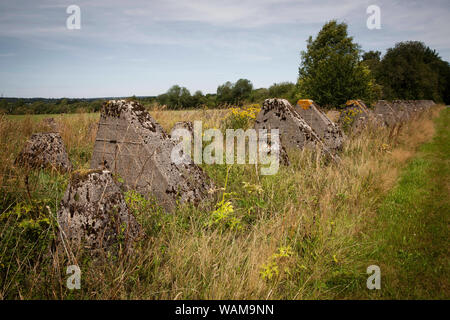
point(142, 48)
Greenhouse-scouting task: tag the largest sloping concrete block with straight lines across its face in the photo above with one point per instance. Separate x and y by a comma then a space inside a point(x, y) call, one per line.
point(134, 146)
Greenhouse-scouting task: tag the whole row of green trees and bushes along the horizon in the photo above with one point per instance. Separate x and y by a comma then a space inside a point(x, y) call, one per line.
point(333, 69)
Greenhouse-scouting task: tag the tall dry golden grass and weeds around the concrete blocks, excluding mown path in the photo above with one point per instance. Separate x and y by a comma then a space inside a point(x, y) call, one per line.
point(298, 234)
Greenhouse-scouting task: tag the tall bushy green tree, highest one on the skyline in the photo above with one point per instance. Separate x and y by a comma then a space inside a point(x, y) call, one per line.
point(331, 71)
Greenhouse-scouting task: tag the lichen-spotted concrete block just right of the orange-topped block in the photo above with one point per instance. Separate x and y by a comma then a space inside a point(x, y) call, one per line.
point(355, 116)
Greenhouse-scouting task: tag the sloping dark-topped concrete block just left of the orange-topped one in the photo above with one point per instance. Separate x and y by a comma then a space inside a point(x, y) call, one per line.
point(294, 131)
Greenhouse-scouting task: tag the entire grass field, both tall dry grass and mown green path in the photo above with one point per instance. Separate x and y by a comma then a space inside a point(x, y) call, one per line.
point(308, 232)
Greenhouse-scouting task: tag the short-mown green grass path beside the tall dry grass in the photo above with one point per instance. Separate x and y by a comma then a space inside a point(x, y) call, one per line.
point(411, 234)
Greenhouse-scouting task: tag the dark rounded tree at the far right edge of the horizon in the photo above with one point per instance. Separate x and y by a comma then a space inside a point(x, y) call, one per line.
point(412, 70)
